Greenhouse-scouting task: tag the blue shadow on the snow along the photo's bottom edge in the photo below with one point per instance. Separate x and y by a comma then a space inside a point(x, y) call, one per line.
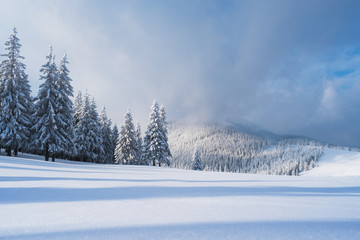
point(279, 230)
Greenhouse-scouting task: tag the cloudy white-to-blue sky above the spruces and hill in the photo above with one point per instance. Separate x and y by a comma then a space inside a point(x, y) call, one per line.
point(291, 67)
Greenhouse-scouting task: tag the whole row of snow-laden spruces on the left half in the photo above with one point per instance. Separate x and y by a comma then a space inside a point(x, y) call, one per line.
point(52, 125)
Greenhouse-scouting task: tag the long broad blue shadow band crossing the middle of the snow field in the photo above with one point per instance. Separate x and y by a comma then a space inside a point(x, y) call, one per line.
point(40, 194)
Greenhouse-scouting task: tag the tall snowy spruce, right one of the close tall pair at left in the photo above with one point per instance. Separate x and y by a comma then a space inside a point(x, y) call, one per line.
point(64, 109)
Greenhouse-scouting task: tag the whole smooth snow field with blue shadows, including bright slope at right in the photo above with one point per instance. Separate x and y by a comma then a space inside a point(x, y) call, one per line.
point(70, 200)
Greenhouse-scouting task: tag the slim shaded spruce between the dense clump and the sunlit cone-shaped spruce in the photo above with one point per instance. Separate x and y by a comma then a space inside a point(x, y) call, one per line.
point(106, 133)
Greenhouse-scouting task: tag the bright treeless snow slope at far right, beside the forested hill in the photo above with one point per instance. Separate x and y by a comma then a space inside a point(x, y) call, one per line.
point(337, 162)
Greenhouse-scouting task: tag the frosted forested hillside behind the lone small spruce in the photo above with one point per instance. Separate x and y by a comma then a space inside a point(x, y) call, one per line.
point(235, 148)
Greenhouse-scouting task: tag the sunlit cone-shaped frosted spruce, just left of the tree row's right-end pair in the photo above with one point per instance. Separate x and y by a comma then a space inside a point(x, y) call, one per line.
point(127, 146)
